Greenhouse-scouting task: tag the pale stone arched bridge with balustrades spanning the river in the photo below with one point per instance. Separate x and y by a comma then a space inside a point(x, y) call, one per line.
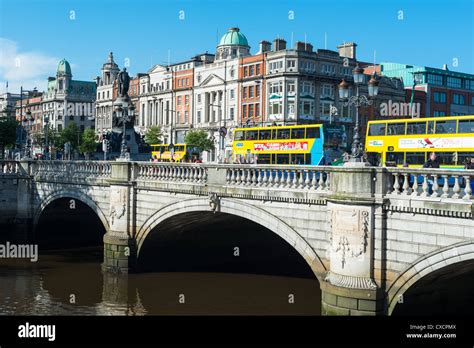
point(368, 234)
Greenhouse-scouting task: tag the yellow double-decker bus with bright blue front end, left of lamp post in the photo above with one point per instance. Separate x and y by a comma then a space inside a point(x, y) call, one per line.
point(291, 145)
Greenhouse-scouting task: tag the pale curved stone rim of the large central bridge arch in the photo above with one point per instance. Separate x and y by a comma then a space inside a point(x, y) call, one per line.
point(244, 210)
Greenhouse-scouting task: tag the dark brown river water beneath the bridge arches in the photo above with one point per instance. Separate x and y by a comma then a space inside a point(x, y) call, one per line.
point(70, 282)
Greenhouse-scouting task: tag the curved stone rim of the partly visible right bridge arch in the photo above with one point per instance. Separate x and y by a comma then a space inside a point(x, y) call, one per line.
point(426, 265)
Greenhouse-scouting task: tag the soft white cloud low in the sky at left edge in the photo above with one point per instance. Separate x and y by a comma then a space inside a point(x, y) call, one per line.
point(23, 68)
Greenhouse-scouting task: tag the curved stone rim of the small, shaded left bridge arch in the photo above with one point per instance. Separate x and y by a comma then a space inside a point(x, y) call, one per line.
point(74, 194)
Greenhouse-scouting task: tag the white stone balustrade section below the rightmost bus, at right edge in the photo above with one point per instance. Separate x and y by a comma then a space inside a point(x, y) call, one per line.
point(455, 184)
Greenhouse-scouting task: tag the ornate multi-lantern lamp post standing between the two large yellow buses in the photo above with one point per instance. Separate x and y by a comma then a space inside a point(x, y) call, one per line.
point(357, 101)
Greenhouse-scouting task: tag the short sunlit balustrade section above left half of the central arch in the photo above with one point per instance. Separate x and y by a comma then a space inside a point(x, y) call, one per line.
point(170, 172)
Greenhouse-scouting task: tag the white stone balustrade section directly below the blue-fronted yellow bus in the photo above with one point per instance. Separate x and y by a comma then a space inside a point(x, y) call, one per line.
point(282, 177)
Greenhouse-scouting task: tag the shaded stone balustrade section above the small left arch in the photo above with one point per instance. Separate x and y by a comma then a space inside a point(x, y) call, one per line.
point(80, 169)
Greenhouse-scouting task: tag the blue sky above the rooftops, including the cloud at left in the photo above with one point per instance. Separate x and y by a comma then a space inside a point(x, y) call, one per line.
point(35, 34)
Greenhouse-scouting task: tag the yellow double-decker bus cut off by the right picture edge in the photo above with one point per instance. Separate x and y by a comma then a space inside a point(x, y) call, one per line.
point(409, 141)
